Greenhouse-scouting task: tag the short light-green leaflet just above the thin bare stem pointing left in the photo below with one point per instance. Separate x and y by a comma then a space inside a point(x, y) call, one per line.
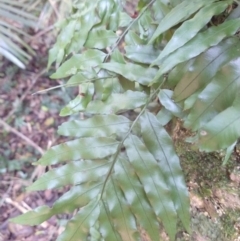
point(89, 58)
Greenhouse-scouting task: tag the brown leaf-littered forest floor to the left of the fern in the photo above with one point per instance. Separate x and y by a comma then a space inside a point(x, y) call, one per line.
point(28, 125)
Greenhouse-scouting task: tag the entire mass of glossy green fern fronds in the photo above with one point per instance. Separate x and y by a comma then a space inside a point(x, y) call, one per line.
point(174, 60)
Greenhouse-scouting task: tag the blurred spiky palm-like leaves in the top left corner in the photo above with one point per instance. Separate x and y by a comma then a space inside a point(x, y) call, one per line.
point(19, 18)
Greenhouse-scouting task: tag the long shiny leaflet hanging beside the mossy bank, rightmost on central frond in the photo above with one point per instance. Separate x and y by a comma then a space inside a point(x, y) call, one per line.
point(159, 143)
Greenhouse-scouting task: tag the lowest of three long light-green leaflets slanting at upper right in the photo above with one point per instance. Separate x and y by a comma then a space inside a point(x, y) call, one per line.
point(201, 42)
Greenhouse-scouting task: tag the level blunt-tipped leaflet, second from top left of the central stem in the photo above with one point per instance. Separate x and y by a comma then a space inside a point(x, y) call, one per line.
point(99, 125)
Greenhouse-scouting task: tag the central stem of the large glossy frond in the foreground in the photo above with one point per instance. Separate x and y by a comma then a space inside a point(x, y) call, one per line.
point(126, 136)
